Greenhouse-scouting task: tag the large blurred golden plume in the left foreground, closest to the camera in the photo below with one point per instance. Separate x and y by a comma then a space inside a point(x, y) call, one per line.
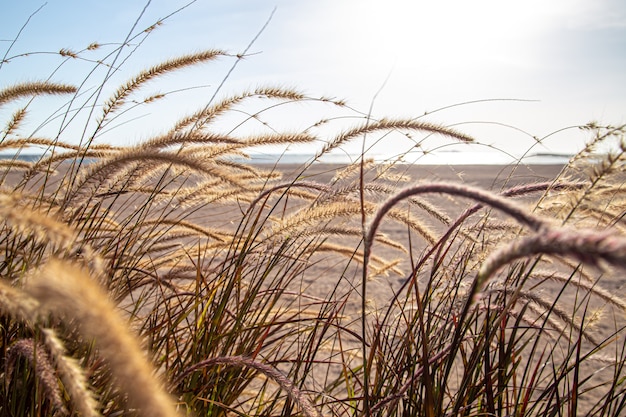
point(69, 292)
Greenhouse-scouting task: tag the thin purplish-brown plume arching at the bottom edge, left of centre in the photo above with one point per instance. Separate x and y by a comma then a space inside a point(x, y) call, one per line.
point(297, 396)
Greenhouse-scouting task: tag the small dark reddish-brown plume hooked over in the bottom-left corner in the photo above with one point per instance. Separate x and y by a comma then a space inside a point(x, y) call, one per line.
point(36, 356)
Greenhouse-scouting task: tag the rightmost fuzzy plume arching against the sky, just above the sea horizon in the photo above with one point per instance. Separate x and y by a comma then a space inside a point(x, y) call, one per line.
point(392, 124)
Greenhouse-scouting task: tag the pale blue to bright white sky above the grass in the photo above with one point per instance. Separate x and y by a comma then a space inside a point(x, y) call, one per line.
point(524, 69)
